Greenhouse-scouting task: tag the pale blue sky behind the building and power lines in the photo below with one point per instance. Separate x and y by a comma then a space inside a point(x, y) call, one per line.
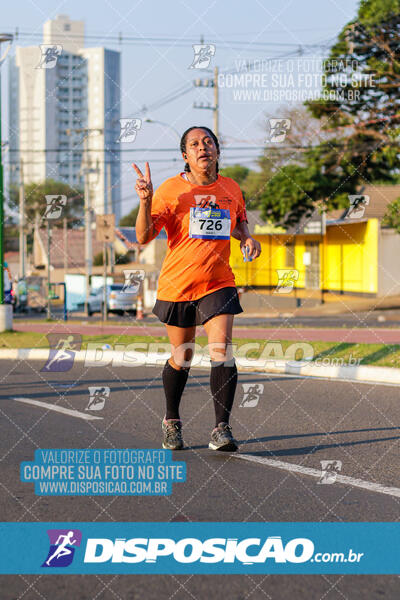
point(241, 31)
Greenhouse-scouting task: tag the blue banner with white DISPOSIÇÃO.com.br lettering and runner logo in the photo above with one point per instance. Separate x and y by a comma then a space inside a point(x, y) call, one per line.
point(204, 548)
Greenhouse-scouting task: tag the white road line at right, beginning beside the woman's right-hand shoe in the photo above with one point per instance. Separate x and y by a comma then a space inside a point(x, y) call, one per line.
point(278, 464)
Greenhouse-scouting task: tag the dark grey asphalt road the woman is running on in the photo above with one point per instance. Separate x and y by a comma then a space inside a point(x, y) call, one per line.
point(297, 421)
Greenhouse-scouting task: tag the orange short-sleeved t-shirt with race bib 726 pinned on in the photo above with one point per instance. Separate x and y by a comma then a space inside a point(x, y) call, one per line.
point(197, 259)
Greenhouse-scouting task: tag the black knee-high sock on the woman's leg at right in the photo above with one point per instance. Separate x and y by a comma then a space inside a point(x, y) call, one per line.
point(223, 381)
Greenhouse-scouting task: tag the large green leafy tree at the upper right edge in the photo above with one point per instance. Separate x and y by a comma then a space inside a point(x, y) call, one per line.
point(358, 108)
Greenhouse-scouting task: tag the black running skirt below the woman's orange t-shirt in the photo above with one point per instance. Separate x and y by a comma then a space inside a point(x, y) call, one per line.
point(198, 312)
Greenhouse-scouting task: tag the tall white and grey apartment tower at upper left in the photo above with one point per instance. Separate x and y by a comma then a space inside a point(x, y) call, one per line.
point(48, 105)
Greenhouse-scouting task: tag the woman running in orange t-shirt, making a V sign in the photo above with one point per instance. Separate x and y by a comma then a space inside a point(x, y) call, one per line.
point(200, 211)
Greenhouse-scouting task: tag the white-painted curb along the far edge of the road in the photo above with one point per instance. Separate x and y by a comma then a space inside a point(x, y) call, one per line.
point(91, 358)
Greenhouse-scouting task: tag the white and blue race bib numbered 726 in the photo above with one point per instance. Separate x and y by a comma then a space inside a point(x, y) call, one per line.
point(210, 223)
